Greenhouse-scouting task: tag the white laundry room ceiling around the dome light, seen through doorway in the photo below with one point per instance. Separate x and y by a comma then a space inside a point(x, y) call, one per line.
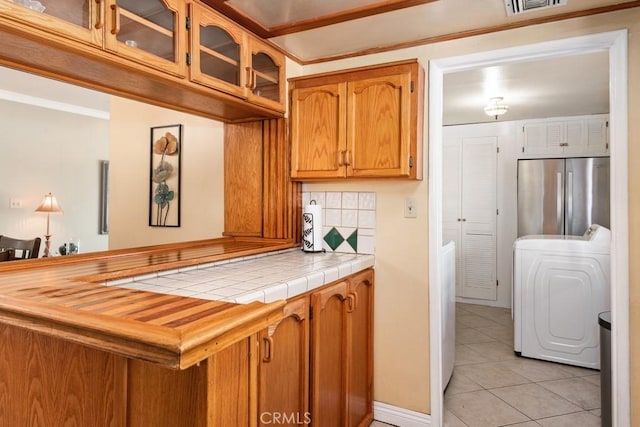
point(568, 86)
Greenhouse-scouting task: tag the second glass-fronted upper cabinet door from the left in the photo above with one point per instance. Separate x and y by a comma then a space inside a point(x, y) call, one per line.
point(150, 31)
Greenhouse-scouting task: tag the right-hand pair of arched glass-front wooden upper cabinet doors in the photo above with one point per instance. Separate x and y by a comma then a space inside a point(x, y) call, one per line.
point(226, 57)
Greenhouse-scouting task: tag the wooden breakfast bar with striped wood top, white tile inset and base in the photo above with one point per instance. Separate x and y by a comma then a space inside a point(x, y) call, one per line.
point(164, 335)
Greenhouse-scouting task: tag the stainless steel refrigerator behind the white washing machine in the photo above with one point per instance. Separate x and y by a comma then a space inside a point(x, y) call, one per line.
point(562, 196)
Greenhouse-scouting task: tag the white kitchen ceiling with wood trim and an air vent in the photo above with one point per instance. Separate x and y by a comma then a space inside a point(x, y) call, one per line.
point(424, 22)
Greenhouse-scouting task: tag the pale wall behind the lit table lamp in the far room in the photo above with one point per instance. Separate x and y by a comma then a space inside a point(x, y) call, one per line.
point(48, 150)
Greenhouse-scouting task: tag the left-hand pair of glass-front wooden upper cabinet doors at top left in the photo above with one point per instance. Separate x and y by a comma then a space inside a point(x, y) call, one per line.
point(151, 32)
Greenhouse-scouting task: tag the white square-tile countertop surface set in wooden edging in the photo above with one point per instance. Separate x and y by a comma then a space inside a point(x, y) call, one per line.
point(265, 277)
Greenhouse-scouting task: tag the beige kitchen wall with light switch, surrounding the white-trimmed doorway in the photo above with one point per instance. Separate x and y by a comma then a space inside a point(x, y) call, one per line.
point(401, 310)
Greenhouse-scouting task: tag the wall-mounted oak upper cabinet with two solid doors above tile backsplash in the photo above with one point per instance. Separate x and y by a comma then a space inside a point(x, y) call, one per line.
point(358, 123)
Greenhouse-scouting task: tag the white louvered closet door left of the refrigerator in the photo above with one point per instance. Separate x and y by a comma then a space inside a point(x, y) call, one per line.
point(479, 164)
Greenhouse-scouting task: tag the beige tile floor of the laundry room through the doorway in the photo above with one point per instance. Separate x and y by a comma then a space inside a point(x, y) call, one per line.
point(493, 387)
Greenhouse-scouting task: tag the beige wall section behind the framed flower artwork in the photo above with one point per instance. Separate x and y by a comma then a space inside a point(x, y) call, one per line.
point(202, 185)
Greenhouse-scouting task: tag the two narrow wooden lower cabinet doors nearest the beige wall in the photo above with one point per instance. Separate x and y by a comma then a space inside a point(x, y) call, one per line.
point(342, 353)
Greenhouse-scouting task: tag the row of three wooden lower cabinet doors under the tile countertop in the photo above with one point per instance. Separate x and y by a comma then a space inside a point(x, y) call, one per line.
point(315, 366)
